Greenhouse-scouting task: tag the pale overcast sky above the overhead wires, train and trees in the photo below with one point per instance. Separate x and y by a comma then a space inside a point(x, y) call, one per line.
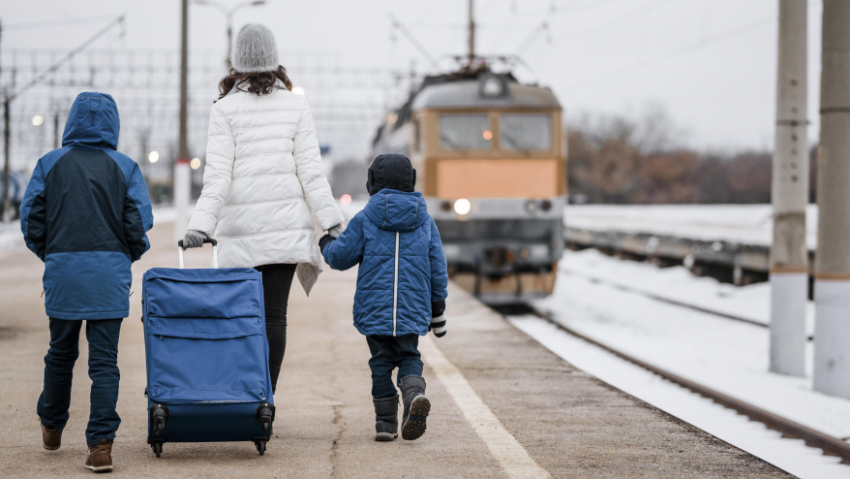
point(711, 63)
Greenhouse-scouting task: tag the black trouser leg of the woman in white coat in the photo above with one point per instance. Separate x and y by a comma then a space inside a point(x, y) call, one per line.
point(277, 280)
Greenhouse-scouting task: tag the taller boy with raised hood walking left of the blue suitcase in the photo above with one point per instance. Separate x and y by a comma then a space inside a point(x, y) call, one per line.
point(85, 214)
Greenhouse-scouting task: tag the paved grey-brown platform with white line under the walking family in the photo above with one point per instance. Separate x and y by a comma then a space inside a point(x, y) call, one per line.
point(503, 405)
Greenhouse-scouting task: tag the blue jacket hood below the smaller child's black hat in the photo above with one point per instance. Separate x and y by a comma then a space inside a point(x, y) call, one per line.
point(393, 210)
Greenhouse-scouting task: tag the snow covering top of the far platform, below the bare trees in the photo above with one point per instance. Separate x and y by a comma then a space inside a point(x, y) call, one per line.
point(747, 224)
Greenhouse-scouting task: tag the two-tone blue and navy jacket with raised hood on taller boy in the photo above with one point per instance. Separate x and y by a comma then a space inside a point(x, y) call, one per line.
point(85, 214)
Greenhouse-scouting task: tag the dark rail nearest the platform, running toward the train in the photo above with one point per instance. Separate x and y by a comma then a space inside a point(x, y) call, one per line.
point(830, 445)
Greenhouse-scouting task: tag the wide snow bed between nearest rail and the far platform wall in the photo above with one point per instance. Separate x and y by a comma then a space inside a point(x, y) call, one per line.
point(729, 356)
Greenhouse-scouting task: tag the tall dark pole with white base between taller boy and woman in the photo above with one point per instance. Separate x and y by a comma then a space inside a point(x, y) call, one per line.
point(181, 167)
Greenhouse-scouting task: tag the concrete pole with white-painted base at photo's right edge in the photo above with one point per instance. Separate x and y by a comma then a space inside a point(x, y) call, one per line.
point(832, 262)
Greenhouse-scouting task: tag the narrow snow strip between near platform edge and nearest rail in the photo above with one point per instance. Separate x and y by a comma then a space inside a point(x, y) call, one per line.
point(788, 454)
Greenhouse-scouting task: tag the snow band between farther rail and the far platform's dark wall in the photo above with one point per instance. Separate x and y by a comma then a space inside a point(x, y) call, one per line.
point(676, 284)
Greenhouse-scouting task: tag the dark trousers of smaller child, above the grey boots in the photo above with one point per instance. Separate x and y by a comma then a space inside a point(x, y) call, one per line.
point(388, 353)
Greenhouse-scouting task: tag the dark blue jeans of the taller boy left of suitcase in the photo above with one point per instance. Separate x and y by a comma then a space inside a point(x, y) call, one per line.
point(55, 400)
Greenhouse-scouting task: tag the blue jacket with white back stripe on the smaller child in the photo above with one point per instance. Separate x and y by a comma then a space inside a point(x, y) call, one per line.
point(402, 264)
